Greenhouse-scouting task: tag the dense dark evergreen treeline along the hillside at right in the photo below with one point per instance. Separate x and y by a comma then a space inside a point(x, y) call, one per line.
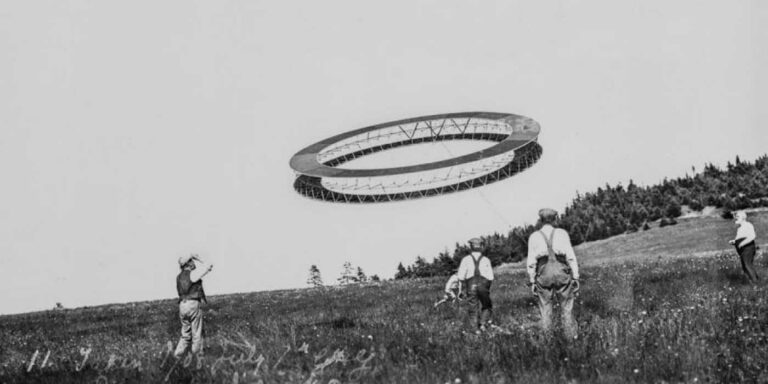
point(614, 210)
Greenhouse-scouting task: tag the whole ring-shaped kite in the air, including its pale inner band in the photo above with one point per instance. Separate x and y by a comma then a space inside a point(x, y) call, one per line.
point(320, 177)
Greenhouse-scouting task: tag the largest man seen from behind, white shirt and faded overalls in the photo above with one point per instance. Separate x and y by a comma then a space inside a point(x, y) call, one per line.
point(553, 271)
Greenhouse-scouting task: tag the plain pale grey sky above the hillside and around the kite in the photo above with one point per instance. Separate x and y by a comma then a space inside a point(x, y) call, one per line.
point(132, 133)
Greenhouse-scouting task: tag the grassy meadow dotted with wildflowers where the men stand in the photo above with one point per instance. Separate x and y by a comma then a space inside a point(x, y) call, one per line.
point(689, 318)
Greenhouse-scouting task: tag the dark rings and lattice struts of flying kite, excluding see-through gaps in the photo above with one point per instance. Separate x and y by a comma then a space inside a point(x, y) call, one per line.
point(522, 140)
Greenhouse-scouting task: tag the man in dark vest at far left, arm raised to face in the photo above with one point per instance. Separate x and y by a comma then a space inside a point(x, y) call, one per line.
point(189, 285)
